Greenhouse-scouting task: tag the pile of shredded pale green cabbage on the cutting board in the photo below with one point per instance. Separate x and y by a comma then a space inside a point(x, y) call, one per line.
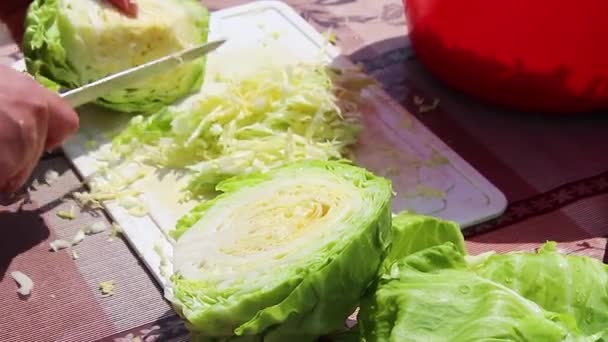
point(250, 123)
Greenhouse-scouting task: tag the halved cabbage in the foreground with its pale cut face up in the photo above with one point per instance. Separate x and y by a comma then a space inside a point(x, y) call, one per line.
point(286, 253)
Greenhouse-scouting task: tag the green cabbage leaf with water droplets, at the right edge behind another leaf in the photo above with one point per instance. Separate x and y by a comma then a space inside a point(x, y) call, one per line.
point(569, 284)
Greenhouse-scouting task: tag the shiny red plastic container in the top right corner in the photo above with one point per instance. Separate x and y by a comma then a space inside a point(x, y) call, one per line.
point(532, 55)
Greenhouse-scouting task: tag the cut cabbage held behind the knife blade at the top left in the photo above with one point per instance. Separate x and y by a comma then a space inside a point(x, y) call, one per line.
point(71, 43)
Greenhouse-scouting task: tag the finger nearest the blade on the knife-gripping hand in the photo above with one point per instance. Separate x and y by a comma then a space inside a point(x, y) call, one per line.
point(63, 121)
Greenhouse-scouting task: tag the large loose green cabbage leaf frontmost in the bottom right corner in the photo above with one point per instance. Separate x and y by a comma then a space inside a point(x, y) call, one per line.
point(432, 296)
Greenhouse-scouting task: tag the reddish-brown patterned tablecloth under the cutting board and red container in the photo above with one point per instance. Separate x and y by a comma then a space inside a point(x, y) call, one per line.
point(554, 172)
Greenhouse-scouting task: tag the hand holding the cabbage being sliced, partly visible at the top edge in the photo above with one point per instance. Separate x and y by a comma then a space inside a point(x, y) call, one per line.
point(13, 14)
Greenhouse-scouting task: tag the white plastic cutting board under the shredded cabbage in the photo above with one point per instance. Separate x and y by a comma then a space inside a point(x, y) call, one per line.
point(393, 143)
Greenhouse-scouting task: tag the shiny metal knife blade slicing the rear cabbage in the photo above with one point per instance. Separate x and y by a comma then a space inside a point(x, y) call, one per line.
point(121, 80)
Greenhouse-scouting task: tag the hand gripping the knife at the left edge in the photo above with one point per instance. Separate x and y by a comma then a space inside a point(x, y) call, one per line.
point(32, 120)
